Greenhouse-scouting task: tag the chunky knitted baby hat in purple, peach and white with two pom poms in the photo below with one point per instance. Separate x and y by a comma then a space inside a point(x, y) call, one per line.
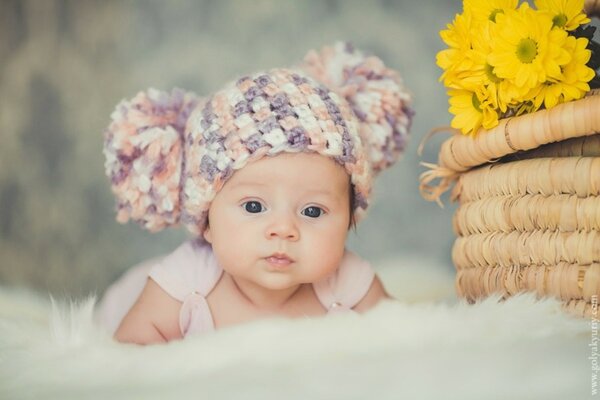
point(168, 154)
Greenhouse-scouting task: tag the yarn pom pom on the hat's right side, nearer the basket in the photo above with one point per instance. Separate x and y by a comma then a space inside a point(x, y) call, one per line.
point(375, 93)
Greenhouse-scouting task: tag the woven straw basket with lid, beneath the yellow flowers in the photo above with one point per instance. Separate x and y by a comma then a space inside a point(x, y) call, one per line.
point(529, 203)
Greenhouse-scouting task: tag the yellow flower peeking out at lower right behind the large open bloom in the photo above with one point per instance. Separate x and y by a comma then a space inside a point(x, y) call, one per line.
point(576, 76)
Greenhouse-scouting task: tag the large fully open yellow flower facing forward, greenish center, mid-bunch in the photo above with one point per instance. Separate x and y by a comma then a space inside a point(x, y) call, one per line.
point(525, 48)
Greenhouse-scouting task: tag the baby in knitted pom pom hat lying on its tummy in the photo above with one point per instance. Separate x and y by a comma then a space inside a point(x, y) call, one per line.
point(269, 174)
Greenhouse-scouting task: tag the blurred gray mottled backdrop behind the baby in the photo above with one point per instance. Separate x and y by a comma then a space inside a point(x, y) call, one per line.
point(64, 65)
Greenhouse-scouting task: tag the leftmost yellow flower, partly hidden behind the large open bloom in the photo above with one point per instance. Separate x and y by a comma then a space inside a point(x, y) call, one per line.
point(455, 60)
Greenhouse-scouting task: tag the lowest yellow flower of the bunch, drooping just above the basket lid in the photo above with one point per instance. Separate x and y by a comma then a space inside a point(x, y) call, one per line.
point(471, 111)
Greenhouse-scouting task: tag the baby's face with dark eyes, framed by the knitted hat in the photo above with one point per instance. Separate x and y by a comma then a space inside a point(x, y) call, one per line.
point(294, 205)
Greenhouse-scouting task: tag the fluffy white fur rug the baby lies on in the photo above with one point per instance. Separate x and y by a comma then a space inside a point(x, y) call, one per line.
point(417, 348)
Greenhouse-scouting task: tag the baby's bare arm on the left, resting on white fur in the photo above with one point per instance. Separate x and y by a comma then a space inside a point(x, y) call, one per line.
point(154, 318)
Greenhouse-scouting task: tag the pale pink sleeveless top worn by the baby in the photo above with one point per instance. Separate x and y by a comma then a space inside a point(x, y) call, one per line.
point(190, 273)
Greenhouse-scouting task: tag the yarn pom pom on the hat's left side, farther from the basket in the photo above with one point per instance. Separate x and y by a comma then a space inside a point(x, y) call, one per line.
point(143, 149)
